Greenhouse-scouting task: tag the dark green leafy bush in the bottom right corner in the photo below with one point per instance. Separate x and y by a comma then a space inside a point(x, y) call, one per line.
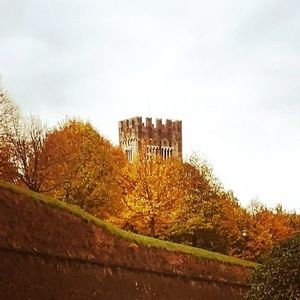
point(279, 275)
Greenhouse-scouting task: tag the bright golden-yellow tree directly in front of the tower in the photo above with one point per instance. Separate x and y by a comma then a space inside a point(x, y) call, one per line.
point(154, 190)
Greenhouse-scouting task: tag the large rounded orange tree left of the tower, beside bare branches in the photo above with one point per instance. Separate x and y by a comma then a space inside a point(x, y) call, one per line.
point(84, 167)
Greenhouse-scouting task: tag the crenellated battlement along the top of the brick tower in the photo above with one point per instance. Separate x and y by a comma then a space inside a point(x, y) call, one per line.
point(137, 123)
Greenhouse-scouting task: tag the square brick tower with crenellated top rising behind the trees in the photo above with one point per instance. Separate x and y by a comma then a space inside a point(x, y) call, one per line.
point(164, 140)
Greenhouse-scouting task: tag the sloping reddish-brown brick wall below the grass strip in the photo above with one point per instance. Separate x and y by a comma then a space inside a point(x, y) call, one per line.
point(48, 253)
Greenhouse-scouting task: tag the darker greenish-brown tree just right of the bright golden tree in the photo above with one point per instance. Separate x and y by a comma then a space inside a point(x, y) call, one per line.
point(211, 217)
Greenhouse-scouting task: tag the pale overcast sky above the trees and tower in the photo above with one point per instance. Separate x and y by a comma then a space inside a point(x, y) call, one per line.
point(230, 70)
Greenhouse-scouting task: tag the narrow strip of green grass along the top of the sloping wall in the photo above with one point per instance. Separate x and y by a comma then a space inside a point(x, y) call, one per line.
point(140, 239)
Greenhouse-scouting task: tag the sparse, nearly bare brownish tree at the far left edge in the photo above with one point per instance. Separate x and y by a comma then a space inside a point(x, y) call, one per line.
point(23, 160)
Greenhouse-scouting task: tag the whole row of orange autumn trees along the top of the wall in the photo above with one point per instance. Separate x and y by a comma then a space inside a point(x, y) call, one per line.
point(170, 199)
